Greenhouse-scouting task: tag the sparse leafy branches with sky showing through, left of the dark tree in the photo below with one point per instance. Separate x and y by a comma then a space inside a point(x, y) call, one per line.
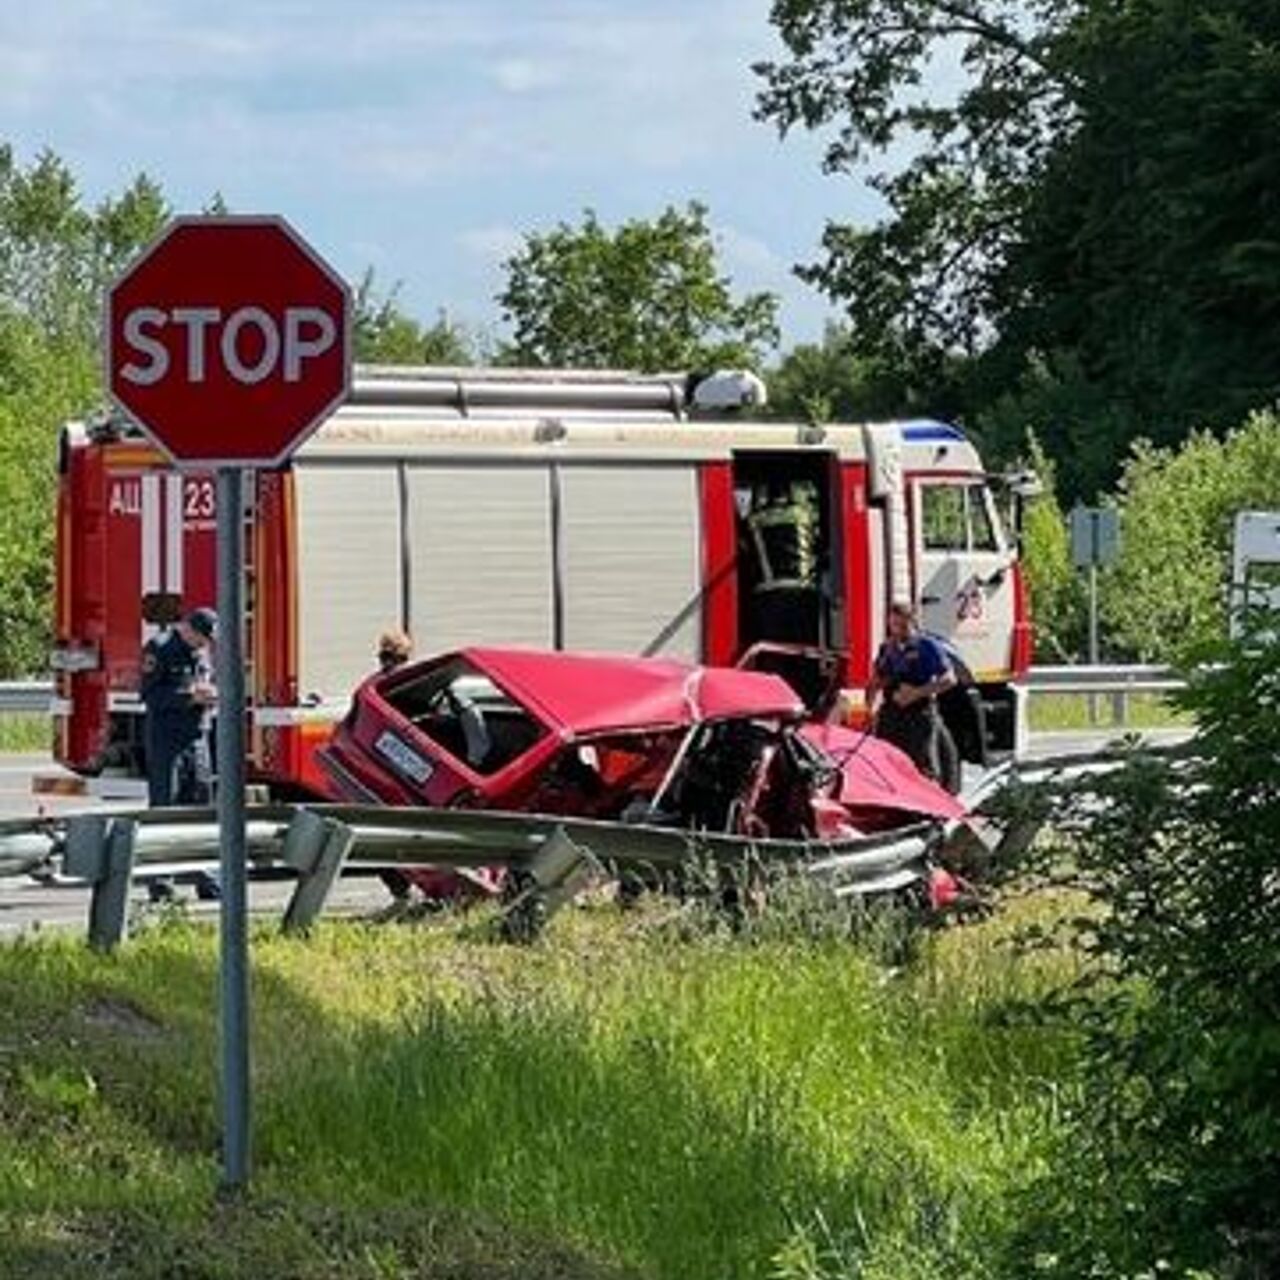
point(921, 280)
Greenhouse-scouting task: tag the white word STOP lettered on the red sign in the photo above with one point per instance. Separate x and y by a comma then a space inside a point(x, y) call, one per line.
point(250, 342)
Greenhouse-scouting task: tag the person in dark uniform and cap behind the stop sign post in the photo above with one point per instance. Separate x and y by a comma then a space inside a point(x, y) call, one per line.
point(177, 696)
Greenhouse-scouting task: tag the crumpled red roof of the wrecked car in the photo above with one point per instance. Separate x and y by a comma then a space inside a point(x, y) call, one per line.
point(584, 693)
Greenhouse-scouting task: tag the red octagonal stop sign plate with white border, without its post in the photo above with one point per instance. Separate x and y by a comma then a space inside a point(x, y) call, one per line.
point(228, 341)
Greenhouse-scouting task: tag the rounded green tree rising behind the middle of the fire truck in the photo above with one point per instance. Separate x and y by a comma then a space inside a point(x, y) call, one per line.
point(646, 296)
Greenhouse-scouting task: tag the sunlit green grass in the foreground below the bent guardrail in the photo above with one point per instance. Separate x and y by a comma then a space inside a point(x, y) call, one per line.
point(619, 1100)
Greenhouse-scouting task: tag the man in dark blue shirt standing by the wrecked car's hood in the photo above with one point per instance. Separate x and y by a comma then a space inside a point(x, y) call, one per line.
point(912, 670)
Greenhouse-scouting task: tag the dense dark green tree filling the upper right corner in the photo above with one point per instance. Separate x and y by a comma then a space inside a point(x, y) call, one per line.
point(1151, 245)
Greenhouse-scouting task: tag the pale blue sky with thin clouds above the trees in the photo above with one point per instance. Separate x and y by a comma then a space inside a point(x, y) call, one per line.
point(422, 139)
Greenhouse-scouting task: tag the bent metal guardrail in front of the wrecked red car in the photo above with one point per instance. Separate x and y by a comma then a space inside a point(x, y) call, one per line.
point(551, 857)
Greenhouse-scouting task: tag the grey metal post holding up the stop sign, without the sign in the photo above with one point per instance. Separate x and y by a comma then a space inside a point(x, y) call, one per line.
point(234, 932)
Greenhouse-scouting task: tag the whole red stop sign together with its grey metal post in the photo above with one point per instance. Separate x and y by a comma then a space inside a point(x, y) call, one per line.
point(228, 341)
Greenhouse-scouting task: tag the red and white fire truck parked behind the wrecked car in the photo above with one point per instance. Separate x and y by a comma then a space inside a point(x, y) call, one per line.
point(561, 510)
